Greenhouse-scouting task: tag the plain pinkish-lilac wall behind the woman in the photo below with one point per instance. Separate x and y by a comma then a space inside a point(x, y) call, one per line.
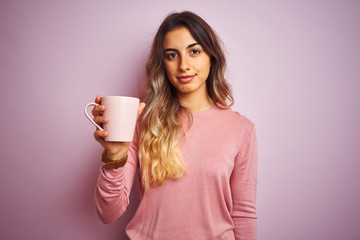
point(295, 70)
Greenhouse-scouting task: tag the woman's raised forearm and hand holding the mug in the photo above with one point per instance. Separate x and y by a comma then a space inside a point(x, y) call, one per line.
point(114, 186)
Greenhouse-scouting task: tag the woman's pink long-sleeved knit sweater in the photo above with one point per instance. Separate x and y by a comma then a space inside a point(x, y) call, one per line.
point(216, 198)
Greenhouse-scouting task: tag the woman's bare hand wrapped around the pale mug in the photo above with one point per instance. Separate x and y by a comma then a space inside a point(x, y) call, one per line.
point(114, 150)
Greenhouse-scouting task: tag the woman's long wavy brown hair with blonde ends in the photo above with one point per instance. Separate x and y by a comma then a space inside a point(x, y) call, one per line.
point(161, 128)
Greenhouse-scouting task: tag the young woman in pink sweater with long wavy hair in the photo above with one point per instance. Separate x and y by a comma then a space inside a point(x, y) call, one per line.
point(196, 157)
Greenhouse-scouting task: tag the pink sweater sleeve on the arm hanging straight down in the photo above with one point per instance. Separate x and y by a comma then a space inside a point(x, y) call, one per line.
point(243, 188)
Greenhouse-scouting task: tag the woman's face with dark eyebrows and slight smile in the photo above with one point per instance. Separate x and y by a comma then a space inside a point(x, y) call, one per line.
point(187, 64)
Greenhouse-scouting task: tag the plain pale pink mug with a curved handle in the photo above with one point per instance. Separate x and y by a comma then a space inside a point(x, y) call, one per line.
point(122, 114)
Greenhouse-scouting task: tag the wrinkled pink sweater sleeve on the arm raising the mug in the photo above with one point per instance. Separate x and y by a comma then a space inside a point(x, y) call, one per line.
point(114, 186)
